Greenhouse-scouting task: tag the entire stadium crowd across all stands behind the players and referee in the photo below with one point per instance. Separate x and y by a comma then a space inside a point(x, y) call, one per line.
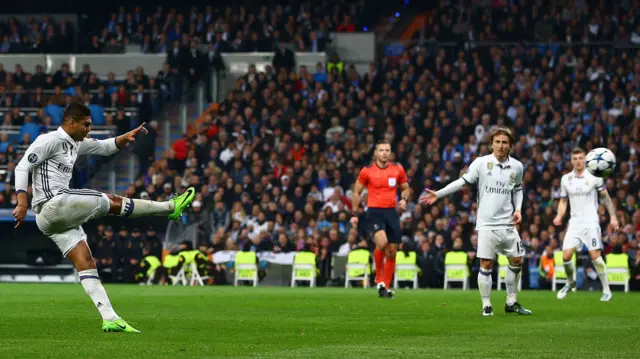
point(275, 161)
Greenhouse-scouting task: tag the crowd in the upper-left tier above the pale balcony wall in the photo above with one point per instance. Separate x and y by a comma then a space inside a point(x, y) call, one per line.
point(225, 27)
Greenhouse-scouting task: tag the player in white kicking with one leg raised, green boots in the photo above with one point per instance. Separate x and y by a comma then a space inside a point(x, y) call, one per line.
point(61, 211)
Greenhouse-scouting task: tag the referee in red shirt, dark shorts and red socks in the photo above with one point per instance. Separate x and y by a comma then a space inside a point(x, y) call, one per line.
point(382, 180)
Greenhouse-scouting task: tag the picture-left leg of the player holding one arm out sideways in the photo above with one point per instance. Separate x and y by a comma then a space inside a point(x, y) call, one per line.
point(487, 249)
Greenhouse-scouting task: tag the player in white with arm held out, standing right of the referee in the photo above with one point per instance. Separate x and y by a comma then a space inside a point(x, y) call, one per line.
point(500, 195)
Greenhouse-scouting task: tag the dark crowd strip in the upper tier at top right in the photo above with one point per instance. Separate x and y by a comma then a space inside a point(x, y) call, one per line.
point(571, 21)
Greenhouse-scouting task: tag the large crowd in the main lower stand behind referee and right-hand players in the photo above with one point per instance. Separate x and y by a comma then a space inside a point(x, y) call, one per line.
point(275, 161)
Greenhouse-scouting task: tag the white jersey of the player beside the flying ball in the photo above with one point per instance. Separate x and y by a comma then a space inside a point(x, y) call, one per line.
point(582, 192)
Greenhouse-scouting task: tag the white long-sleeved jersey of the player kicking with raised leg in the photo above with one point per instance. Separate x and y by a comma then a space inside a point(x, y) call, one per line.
point(50, 159)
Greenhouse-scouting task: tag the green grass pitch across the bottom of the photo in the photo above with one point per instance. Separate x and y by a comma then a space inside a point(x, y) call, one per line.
point(59, 321)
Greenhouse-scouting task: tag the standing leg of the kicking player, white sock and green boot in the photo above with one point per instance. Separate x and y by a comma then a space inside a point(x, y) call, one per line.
point(81, 257)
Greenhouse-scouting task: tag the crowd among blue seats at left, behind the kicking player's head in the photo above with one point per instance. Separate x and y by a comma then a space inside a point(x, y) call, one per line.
point(31, 103)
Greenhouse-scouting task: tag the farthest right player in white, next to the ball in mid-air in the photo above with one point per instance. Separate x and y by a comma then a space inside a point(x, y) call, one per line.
point(581, 189)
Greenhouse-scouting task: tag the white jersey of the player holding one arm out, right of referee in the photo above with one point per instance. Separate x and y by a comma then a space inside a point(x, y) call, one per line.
point(497, 182)
